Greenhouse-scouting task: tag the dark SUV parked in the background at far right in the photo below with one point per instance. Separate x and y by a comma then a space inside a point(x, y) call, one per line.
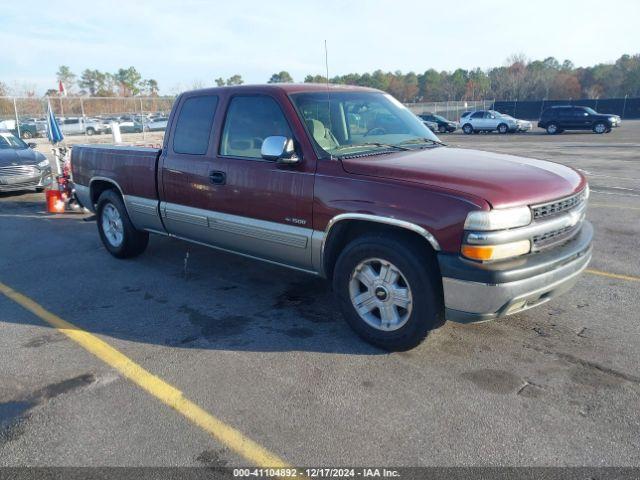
point(558, 119)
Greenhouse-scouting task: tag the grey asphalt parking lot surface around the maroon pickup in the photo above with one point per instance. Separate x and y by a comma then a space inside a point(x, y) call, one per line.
point(264, 350)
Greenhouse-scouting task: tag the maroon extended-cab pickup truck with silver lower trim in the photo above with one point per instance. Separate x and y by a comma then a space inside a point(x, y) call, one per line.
point(346, 183)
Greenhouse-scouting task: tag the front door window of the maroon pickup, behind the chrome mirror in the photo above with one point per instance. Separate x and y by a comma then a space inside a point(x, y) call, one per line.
point(251, 119)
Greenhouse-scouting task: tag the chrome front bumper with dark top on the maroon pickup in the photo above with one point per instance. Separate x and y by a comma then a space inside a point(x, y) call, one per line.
point(535, 282)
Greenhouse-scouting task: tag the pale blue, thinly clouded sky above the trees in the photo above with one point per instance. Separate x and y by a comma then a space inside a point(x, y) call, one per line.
point(188, 43)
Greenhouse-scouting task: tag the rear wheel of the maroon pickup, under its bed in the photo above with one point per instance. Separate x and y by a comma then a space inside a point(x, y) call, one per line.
point(121, 239)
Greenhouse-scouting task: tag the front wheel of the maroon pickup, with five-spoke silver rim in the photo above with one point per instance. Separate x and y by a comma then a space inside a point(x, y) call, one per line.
point(417, 286)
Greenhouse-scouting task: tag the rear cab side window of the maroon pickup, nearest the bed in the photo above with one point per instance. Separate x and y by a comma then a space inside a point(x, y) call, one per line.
point(193, 127)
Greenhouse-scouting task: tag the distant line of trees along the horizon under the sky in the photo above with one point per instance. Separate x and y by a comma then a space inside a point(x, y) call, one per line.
point(519, 79)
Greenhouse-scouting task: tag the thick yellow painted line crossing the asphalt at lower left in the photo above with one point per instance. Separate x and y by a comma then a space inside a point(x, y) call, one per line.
point(164, 392)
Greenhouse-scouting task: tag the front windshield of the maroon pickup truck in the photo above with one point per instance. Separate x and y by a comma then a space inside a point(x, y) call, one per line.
point(353, 123)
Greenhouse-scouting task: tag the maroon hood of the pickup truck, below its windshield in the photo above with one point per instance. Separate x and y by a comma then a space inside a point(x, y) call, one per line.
point(501, 180)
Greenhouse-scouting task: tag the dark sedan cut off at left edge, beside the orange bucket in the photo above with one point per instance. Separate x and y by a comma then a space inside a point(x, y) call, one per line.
point(21, 167)
